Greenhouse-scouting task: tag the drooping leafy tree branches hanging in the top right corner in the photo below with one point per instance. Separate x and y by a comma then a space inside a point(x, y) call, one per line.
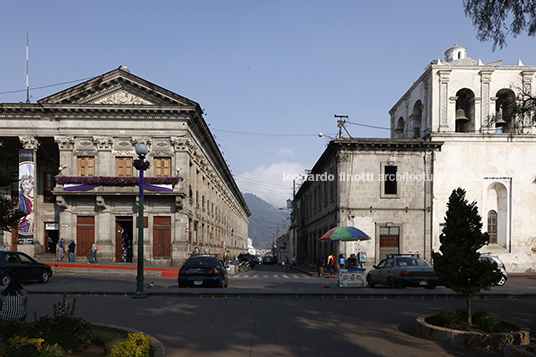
point(491, 17)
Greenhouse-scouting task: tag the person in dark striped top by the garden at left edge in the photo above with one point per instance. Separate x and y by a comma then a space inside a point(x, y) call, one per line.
point(14, 301)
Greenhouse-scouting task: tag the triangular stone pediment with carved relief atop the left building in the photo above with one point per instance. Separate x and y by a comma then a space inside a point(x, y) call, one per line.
point(117, 87)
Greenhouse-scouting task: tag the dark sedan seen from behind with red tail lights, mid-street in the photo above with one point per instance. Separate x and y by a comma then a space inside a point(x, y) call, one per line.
point(203, 271)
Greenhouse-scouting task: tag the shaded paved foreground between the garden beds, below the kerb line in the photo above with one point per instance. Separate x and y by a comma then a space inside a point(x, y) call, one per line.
point(282, 327)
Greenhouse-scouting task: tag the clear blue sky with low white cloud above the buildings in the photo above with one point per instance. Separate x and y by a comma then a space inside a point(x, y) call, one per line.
point(270, 74)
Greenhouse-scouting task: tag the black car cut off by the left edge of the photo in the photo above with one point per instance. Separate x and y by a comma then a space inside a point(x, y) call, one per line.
point(21, 266)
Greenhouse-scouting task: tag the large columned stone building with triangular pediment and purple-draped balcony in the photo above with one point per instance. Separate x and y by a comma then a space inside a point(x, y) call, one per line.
point(82, 141)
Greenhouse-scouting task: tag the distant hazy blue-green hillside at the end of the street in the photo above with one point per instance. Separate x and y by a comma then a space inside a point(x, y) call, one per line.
point(265, 221)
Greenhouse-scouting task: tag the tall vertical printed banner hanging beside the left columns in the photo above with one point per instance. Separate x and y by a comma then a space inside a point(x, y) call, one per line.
point(26, 195)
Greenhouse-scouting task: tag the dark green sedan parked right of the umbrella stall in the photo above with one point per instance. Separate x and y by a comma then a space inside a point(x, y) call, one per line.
point(400, 270)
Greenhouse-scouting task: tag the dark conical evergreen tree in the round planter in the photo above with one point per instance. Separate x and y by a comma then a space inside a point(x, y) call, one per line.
point(458, 266)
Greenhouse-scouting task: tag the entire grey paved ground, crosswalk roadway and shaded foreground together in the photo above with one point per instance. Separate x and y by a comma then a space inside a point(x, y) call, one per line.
point(267, 312)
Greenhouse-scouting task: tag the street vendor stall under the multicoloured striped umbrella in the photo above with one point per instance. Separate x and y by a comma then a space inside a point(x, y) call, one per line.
point(350, 275)
